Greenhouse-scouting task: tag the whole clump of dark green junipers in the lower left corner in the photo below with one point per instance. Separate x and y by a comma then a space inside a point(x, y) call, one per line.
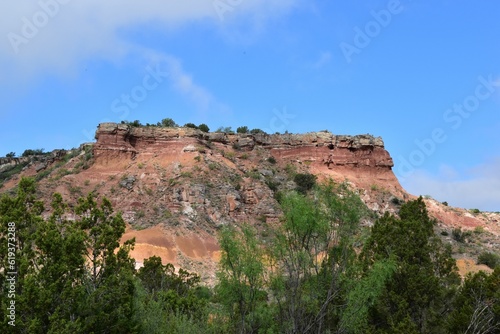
point(73, 275)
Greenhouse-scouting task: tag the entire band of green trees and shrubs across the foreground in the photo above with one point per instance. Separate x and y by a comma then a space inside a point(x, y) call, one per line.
point(317, 272)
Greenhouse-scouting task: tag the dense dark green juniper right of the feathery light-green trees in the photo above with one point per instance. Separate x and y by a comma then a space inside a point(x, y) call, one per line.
point(419, 293)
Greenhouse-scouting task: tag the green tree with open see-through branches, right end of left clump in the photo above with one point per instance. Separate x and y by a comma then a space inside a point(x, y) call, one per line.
point(109, 280)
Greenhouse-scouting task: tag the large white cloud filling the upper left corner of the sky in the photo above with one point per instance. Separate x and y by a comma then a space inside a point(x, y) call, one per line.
point(56, 35)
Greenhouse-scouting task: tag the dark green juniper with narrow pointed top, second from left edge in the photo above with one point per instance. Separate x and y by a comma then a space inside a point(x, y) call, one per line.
point(55, 289)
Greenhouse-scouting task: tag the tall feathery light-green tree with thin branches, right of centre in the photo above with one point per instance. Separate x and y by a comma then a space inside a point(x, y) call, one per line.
point(311, 256)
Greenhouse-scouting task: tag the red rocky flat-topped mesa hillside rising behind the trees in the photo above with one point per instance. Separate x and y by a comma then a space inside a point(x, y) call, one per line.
point(177, 186)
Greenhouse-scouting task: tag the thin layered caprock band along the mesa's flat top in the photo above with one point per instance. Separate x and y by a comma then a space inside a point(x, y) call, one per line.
point(320, 147)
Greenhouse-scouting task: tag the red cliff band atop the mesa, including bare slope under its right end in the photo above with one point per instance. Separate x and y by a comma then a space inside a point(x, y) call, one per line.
point(360, 159)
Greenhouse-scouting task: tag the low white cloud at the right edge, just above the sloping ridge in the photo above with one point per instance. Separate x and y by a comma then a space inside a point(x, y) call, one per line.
point(478, 188)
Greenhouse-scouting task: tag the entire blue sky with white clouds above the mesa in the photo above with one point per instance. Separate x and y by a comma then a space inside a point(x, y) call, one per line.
point(423, 75)
